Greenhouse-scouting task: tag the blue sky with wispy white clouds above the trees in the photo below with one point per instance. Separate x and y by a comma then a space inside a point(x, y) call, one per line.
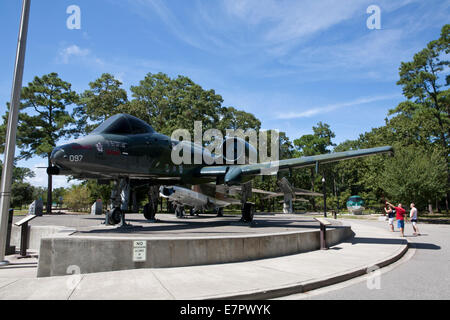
point(291, 63)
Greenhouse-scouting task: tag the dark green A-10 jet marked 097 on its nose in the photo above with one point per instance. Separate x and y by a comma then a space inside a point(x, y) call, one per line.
point(127, 150)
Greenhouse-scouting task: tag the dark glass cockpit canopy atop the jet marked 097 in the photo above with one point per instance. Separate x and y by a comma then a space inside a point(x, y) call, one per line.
point(123, 124)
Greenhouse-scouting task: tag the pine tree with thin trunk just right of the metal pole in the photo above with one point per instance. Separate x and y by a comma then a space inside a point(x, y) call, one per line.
point(44, 119)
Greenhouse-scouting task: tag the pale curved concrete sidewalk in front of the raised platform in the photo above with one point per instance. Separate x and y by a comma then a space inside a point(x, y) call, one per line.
point(259, 279)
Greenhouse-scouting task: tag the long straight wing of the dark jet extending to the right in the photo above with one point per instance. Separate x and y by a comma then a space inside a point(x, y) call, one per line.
point(234, 174)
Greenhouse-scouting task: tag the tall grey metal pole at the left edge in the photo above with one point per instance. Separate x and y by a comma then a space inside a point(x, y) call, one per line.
point(10, 143)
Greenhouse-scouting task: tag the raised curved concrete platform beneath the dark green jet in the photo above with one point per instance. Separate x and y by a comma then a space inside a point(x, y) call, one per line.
point(181, 242)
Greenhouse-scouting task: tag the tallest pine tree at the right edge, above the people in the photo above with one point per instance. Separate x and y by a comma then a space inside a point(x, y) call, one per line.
point(423, 81)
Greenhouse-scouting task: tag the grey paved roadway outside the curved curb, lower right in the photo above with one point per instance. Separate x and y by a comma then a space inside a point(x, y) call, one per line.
point(423, 274)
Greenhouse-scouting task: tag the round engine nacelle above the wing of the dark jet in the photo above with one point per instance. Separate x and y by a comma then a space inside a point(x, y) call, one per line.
point(236, 150)
